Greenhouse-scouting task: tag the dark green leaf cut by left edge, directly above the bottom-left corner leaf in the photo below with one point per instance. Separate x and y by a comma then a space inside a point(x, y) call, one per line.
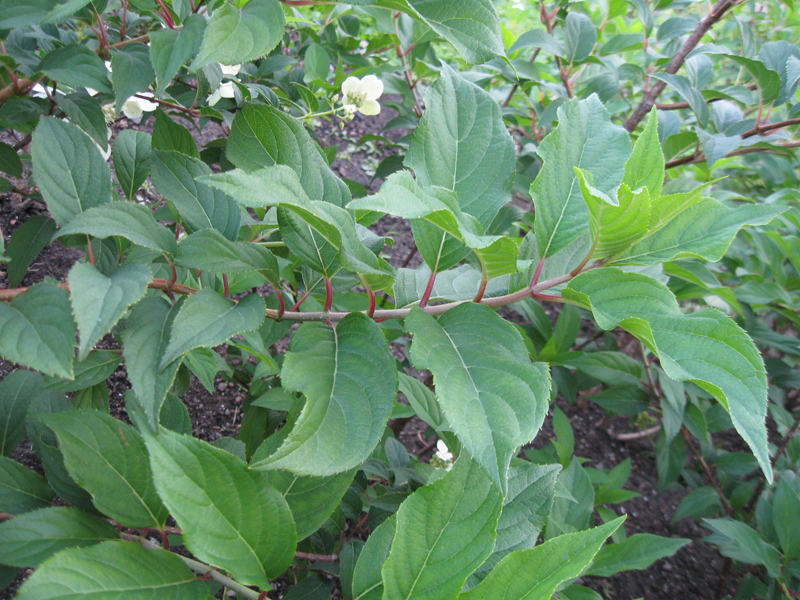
point(29, 539)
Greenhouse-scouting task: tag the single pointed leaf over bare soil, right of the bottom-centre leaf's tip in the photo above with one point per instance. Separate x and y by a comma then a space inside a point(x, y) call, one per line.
point(638, 551)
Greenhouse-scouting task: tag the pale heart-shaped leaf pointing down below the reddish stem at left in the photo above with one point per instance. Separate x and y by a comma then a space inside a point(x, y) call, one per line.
point(99, 301)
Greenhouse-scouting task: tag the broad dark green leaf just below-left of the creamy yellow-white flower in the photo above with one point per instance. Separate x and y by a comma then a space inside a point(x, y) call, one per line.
point(262, 136)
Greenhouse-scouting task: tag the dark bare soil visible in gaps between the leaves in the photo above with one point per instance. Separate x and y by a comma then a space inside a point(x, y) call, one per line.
point(693, 573)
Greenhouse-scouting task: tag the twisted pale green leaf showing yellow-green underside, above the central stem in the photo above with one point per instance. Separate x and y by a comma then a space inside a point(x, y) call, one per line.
point(401, 195)
